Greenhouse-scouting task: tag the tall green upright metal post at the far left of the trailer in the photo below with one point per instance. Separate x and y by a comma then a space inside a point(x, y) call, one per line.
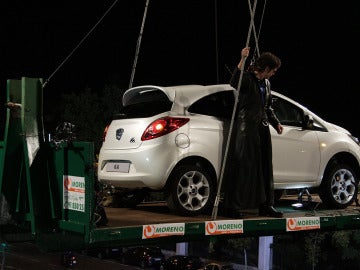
point(22, 136)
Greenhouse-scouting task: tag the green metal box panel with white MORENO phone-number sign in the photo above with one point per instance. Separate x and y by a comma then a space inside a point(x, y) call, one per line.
point(71, 170)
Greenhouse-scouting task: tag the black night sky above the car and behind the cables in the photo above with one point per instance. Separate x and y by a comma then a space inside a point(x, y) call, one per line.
point(185, 42)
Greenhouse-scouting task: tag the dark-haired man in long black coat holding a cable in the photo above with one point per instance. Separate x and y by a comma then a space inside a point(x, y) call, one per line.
point(249, 174)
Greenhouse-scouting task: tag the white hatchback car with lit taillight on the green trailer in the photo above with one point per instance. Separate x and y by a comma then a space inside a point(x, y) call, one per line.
point(173, 139)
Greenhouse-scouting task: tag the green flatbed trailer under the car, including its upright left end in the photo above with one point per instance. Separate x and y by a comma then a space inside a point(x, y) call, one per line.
point(50, 190)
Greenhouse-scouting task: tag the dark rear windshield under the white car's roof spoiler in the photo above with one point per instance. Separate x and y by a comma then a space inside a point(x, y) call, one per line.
point(145, 104)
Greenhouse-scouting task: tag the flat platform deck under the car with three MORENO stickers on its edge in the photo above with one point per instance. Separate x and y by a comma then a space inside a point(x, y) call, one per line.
point(149, 222)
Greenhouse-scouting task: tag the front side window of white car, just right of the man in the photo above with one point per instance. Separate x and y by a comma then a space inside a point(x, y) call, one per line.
point(287, 113)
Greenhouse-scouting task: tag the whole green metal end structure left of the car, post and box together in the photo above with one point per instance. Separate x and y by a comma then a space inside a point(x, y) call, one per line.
point(49, 187)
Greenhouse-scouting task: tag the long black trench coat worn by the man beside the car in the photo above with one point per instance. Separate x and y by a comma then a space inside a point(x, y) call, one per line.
point(248, 178)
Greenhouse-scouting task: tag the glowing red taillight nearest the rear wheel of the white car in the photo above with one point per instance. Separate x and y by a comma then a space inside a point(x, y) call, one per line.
point(163, 126)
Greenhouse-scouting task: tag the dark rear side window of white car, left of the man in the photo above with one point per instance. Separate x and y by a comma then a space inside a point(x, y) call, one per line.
point(219, 104)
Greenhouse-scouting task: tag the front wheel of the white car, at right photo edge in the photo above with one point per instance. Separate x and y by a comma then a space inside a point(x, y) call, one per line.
point(339, 187)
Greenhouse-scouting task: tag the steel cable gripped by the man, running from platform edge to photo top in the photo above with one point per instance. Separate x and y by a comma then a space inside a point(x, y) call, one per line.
point(250, 30)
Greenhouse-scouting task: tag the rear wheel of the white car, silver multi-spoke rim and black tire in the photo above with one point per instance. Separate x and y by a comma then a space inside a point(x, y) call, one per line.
point(191, 190)
